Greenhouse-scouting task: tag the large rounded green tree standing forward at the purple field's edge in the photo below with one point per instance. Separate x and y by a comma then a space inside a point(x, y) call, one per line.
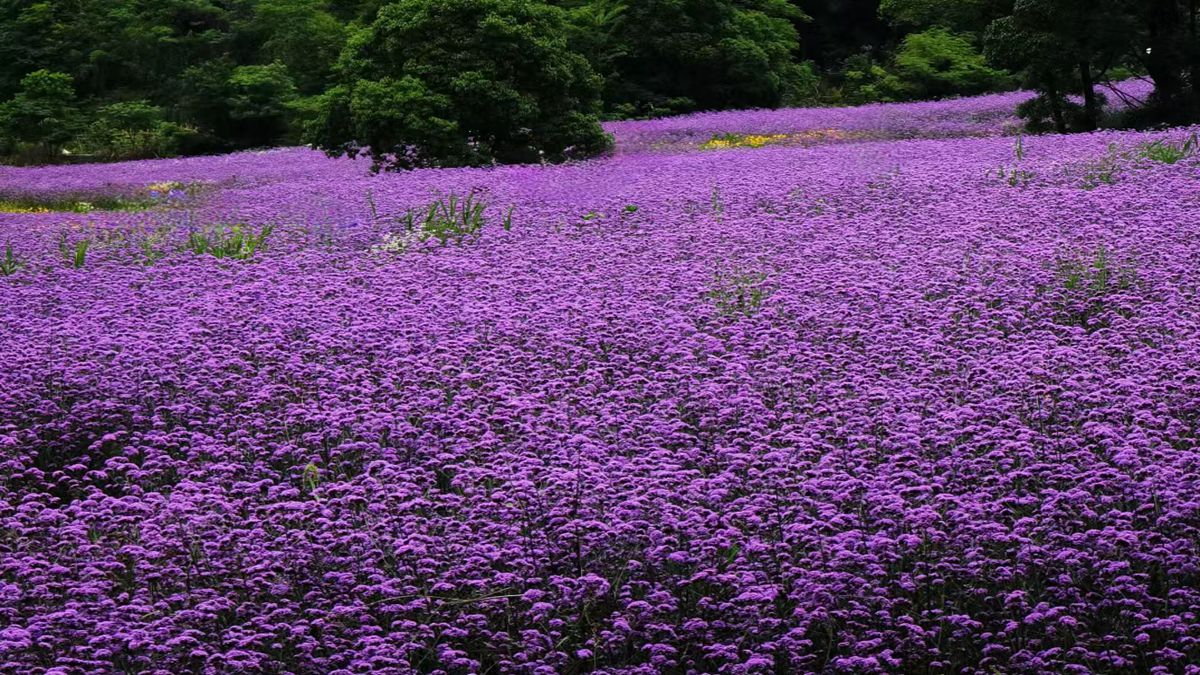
point(484, 81)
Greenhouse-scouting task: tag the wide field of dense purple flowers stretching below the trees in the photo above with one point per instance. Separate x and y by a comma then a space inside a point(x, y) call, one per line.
point(887, 407)
